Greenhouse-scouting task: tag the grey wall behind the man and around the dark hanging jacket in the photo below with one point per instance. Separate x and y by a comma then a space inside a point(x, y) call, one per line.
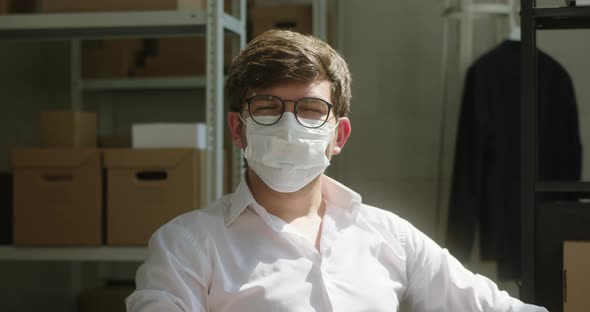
point(392, 159)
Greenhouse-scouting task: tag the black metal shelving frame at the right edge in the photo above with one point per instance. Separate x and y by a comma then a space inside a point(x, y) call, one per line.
point(533, 19)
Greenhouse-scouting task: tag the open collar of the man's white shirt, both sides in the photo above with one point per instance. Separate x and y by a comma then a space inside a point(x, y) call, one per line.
point(335, 193)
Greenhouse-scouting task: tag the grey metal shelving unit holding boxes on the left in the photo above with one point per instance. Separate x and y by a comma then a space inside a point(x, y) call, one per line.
point(212, 23)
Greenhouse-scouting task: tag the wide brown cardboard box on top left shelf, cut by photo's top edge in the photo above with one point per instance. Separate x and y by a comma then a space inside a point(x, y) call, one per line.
point(119, 5)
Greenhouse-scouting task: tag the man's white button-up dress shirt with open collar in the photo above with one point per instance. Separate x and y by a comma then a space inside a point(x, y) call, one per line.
point(235, 256)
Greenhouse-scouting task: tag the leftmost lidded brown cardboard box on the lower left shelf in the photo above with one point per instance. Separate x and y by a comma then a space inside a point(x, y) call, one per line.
point(57, 197)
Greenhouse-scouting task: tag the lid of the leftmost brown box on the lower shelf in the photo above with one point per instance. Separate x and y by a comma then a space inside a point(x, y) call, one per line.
point(51, 157)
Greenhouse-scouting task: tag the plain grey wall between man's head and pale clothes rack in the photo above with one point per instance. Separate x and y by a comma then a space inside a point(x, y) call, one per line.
point(393, 49)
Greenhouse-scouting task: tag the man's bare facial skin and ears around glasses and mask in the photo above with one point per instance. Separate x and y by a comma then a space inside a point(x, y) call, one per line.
point(292, 92)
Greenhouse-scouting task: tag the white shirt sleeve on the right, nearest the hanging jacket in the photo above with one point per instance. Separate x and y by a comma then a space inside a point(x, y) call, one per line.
point(438, 282)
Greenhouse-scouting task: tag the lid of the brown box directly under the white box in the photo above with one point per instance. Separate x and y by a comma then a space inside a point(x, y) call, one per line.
point(146, 157)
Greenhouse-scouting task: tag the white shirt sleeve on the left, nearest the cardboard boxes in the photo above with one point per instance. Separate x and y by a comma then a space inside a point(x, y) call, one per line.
point(171, 278)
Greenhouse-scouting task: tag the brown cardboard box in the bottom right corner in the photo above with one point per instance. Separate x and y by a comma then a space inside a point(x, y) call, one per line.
point(576, 276)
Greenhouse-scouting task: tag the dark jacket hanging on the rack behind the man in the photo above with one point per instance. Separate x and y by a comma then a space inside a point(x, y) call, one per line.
point(486, 174)
